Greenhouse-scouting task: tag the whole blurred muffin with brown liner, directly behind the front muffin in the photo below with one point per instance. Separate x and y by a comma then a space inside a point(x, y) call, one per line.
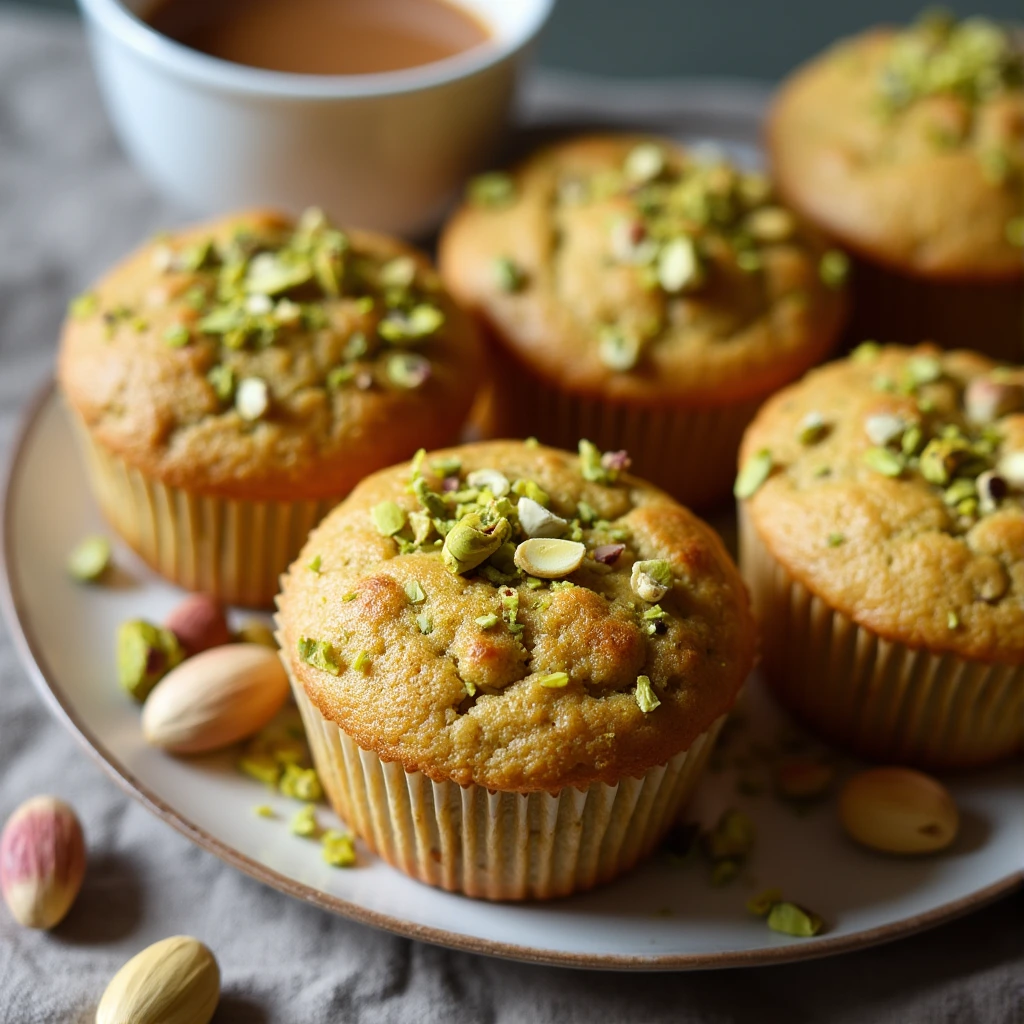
point(644, 296)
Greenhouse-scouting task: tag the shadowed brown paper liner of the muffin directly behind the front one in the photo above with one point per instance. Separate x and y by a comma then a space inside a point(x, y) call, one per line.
point(689, 451)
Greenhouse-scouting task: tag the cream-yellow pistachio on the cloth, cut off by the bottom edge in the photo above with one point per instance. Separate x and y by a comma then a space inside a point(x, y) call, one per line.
point(176, 982)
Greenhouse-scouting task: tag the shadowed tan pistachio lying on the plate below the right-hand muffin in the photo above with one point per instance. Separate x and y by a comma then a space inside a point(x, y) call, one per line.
point(899, 810)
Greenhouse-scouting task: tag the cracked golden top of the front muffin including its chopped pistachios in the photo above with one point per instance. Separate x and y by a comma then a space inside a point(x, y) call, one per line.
point(410, 624)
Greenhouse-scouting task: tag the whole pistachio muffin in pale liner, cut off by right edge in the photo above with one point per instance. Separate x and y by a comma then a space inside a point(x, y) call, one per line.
point(882, 535)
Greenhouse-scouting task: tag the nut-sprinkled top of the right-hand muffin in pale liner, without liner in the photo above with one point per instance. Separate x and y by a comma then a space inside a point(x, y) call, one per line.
point(891, 485)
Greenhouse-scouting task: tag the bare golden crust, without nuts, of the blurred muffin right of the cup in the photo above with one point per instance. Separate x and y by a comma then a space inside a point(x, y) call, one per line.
point(742, 333)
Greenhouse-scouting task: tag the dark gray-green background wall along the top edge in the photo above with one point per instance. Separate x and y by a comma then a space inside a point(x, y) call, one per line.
point(748, 38)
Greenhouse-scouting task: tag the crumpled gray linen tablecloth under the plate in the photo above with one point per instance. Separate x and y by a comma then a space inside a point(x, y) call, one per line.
point(69, 205)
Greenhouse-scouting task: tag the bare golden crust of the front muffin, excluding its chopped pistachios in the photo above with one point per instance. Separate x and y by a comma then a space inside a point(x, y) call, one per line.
point(412, 705)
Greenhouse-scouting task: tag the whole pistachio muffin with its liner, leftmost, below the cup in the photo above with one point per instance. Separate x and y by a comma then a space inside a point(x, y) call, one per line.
point(233, 382)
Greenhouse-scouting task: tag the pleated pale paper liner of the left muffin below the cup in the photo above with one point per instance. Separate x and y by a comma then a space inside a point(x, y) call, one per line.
point(235, 550)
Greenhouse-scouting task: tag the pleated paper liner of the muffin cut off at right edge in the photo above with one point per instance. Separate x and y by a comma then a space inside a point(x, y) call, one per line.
point(881, 699)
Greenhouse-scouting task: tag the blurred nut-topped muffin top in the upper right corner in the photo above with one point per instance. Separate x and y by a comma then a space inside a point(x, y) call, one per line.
point(909, 146)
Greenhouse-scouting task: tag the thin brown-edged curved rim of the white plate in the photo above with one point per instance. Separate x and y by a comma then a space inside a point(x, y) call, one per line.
point(14, 608)
